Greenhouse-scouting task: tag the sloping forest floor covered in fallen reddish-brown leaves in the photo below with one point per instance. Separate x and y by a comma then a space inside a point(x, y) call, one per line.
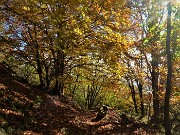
point(24, 110)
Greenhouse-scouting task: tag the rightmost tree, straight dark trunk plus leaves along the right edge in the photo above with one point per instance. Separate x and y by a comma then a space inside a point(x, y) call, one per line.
point(172, 55)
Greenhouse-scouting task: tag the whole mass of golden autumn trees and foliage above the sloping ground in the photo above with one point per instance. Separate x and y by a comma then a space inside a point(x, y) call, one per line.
point(112, 52)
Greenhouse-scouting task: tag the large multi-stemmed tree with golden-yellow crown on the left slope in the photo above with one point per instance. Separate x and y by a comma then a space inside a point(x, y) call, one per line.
point(52, 36)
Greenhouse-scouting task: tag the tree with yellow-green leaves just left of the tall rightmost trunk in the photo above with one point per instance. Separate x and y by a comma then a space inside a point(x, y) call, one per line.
point(150, 47)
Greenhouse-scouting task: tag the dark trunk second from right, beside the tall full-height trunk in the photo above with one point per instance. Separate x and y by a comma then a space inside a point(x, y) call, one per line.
point(154, 79)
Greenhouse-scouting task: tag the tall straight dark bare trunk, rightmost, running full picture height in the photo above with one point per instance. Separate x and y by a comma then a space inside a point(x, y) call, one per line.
point(169, 74)
